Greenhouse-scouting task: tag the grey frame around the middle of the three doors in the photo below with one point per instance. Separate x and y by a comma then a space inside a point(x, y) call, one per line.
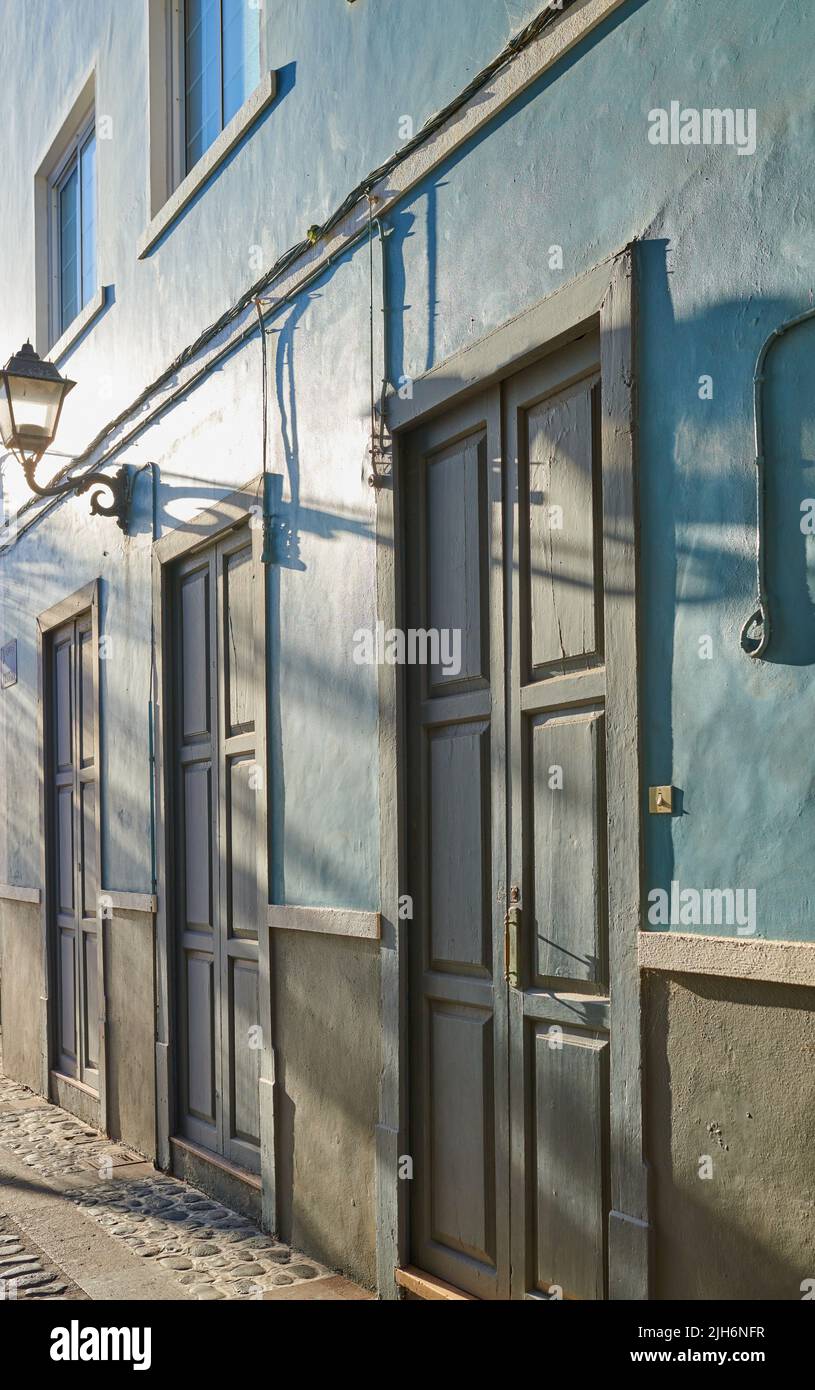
point(212, 525)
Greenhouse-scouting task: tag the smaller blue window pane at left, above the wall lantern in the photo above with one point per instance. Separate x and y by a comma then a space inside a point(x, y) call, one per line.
point(73, 230)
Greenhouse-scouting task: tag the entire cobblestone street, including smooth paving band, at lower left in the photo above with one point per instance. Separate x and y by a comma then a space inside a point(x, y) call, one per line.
point(83, 1218)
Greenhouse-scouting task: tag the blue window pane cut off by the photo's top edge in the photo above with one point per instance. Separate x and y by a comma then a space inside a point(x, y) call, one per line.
point(222, 67)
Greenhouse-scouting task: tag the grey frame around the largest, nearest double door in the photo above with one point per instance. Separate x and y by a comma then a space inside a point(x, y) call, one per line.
point(604, 297)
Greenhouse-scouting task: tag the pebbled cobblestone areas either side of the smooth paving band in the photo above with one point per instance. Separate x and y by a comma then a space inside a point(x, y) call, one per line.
point(212, 1252)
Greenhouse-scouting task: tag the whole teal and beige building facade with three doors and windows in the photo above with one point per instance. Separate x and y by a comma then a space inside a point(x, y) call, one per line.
point(405, 828)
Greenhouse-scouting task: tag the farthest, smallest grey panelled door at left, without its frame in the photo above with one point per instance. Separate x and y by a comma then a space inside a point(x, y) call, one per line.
point(74, 847)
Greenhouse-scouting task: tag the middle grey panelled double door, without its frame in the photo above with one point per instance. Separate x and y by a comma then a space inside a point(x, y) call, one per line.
point(218, 783)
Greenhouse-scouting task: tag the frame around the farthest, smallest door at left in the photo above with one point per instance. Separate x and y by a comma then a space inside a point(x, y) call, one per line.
point(67, 611)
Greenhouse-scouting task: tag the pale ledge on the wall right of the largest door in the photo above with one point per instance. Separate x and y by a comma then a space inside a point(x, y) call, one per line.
point(738, 958)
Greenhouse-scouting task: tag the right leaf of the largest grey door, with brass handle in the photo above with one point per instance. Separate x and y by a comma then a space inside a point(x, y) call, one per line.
point(560, 983)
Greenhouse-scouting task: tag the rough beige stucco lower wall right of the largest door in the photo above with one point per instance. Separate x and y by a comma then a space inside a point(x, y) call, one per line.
point(731, 1075)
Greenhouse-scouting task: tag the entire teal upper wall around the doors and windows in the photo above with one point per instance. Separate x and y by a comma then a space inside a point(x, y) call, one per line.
point(727, 254)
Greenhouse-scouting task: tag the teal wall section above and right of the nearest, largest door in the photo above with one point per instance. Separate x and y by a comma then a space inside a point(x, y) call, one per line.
point(728, 254)
